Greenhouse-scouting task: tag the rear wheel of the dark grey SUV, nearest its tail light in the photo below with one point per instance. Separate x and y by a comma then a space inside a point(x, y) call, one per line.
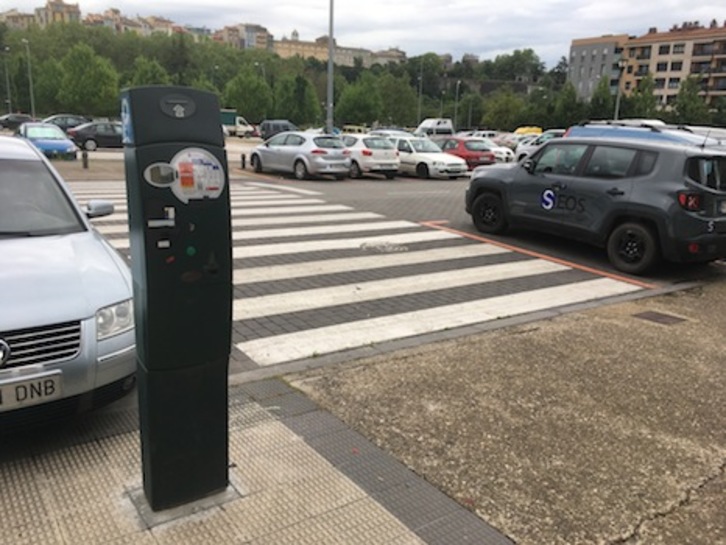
point(632, 248)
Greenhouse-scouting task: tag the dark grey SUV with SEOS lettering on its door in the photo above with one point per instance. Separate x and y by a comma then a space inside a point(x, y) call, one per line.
point(639, 199)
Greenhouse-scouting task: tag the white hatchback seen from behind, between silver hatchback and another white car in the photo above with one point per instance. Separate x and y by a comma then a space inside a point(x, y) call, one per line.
point(371, 154)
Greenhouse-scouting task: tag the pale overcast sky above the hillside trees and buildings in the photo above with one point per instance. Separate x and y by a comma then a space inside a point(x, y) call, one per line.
point(483, 28)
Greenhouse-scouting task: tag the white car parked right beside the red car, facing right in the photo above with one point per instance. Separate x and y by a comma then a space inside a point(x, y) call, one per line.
point(423, 158)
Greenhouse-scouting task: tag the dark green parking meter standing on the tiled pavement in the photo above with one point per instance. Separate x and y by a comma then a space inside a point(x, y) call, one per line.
point(181, 262)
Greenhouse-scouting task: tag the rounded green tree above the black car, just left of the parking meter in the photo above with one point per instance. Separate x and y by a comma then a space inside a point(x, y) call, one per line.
point(90, 85)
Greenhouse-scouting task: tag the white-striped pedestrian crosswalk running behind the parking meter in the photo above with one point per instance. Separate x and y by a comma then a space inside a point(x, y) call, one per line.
point(314, 278)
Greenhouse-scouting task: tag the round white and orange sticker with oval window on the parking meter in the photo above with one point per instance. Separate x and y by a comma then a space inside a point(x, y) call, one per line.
point(193, 173)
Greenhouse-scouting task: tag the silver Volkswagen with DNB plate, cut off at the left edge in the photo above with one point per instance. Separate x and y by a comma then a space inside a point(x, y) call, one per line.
point(67, 324)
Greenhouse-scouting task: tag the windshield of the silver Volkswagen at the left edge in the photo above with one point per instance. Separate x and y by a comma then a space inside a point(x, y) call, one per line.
point(32, 202)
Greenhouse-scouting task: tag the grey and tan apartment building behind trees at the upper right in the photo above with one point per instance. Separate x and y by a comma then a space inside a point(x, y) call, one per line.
point(670, 57)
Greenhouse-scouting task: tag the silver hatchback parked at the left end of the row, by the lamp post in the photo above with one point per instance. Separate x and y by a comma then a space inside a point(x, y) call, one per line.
point(302, 154)
